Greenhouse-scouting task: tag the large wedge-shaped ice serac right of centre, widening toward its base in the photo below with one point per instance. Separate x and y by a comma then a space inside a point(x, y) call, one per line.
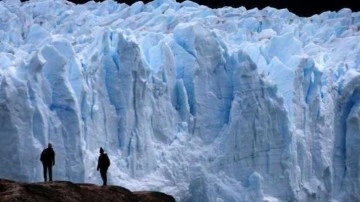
point(257, 110)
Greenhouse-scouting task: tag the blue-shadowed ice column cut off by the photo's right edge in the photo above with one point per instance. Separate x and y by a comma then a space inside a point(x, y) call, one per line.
point(346, 145)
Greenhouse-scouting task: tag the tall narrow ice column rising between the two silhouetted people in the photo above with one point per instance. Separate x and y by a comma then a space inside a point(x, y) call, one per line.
point(64, 104)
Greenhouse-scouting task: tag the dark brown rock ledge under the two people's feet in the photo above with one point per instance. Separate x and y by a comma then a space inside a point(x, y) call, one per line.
point(59, 191)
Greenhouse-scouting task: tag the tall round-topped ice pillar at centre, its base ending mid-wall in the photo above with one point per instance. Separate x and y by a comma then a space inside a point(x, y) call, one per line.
point(207, 81)
